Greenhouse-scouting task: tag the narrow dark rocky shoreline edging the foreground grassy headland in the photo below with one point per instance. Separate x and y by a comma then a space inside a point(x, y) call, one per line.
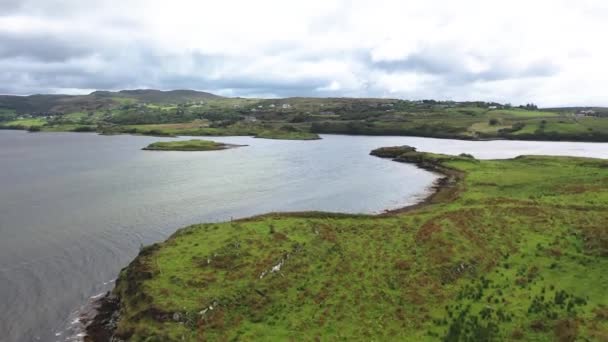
point(99, 326)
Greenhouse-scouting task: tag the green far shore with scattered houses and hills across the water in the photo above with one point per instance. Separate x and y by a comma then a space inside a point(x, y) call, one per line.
point(192, 113)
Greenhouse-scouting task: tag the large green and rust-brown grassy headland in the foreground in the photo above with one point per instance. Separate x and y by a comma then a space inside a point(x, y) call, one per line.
point(506, 250)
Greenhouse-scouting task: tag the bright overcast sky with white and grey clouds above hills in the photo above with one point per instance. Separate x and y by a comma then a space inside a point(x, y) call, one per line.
point(549, 52)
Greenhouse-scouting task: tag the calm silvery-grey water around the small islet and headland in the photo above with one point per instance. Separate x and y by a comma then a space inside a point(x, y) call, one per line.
point(75, 208)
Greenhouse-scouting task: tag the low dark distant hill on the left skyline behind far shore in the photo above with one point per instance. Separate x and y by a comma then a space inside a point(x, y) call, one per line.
point(97, 100)
